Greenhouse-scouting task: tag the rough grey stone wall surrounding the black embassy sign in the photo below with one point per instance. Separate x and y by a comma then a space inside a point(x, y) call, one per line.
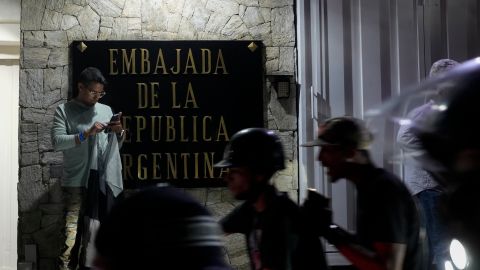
point(47, 29)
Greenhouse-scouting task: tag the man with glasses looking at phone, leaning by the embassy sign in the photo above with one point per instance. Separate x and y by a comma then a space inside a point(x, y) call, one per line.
point(91, 168)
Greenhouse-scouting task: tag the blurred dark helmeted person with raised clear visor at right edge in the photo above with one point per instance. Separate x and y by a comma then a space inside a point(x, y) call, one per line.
point(450, 139)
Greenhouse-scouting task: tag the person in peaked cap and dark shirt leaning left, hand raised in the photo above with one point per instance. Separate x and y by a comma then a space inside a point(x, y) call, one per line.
point(388, 230)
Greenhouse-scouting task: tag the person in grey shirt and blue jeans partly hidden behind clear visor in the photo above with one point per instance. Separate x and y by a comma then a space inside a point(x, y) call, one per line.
point(422, 183)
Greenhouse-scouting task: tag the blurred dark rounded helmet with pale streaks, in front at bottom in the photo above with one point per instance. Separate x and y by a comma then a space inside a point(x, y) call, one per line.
point(159, 228)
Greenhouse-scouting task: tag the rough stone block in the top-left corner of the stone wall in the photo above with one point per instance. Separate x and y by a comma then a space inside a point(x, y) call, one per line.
point(32, 14)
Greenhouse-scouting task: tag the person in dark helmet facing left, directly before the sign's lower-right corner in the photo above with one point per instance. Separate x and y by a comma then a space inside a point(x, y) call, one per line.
point(269, 220)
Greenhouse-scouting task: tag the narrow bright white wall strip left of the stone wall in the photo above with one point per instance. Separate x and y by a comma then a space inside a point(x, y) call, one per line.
point(9, 85)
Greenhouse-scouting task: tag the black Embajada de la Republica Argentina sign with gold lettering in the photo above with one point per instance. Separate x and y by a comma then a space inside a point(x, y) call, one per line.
point(181, 101)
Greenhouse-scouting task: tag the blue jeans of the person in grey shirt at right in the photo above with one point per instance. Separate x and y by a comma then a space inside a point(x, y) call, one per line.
point(436, 229)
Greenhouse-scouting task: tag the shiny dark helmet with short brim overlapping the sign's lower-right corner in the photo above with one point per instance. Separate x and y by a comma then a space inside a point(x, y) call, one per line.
point(257, 148)
